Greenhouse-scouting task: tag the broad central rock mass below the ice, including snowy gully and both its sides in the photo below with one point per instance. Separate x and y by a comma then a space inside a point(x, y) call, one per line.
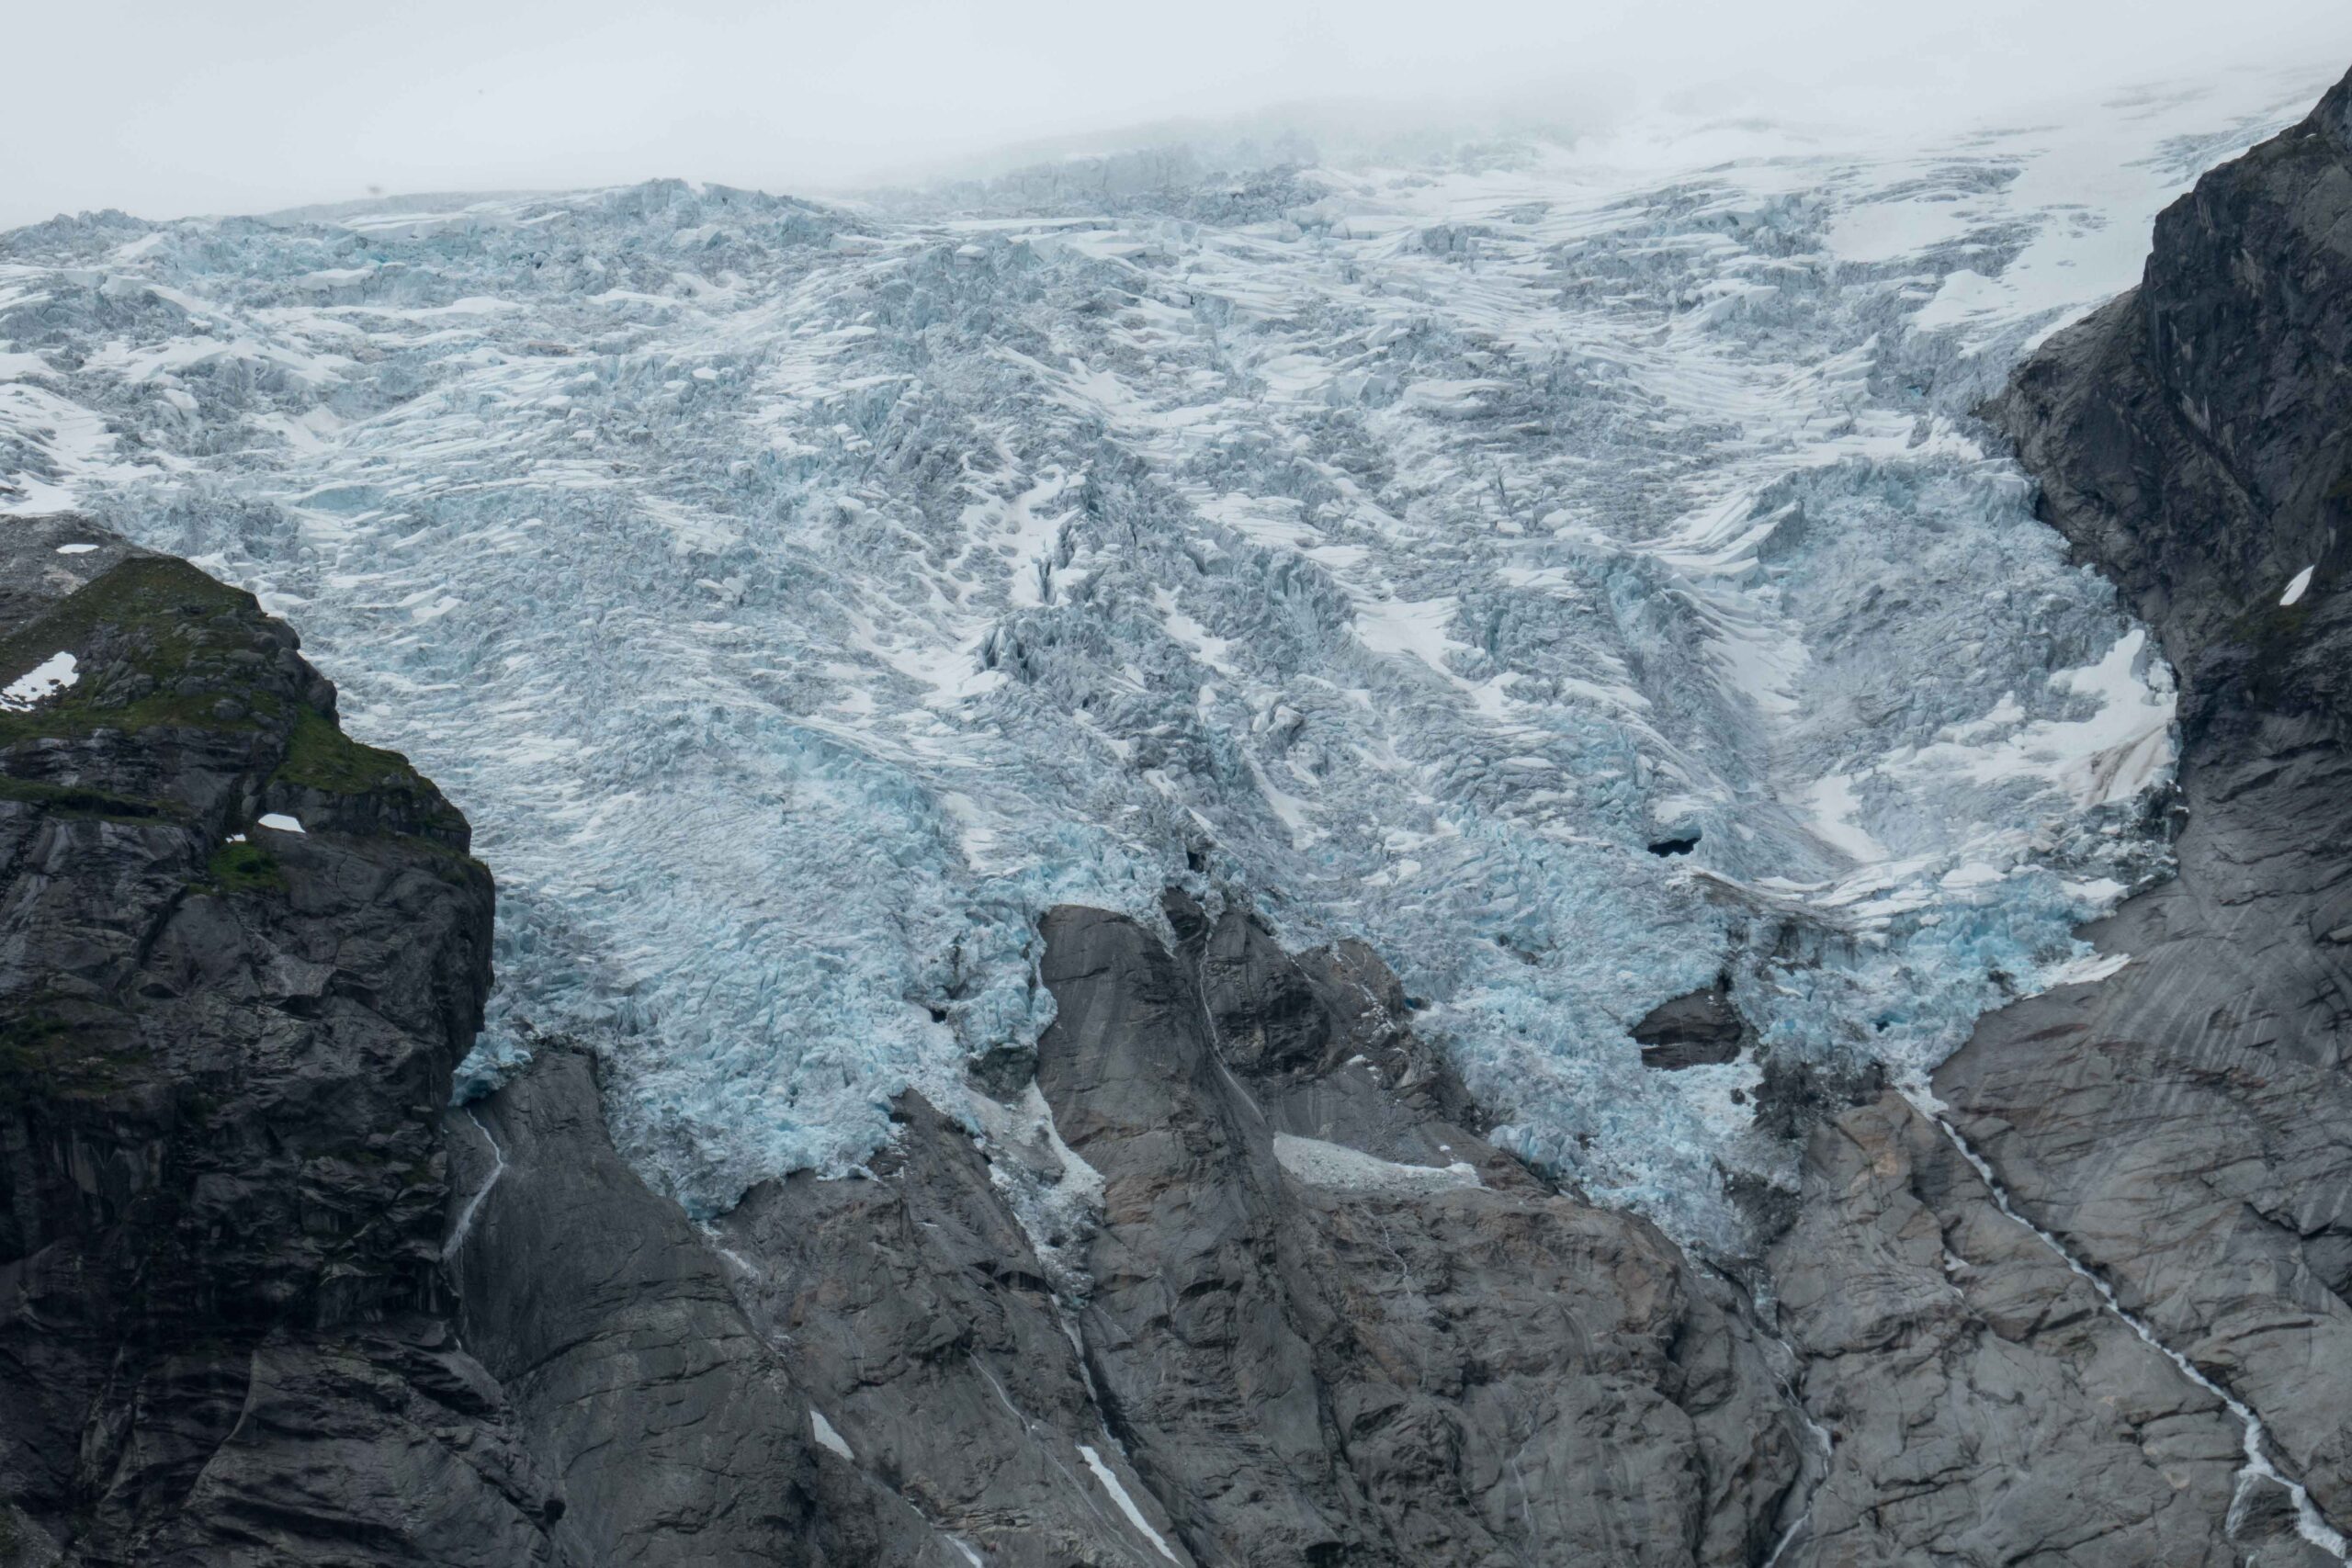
point(1323, 1320)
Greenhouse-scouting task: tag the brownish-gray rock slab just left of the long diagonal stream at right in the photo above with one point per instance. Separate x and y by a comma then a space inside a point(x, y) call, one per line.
point(1979, 1398)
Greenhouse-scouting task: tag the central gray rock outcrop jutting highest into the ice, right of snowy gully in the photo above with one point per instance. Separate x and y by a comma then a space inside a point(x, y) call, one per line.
point(1335, 1325)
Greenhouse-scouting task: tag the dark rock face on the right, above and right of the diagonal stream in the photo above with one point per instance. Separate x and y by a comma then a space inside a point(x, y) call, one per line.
point(2189, 1125)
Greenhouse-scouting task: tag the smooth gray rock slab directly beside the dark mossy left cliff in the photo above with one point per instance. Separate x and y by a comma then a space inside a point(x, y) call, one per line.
point(636, 1379)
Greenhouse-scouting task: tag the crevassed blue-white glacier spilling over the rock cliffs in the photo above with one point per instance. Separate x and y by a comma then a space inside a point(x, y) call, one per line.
point(803, 598)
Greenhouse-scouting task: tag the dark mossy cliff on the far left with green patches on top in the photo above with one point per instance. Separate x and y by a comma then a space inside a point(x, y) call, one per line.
point(222, 1052)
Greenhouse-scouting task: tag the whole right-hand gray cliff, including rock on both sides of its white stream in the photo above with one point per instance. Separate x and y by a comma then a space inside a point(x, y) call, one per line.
point(2181, 1130)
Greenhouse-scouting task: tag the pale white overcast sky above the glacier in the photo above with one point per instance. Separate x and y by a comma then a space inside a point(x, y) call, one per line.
point(187, 107)
